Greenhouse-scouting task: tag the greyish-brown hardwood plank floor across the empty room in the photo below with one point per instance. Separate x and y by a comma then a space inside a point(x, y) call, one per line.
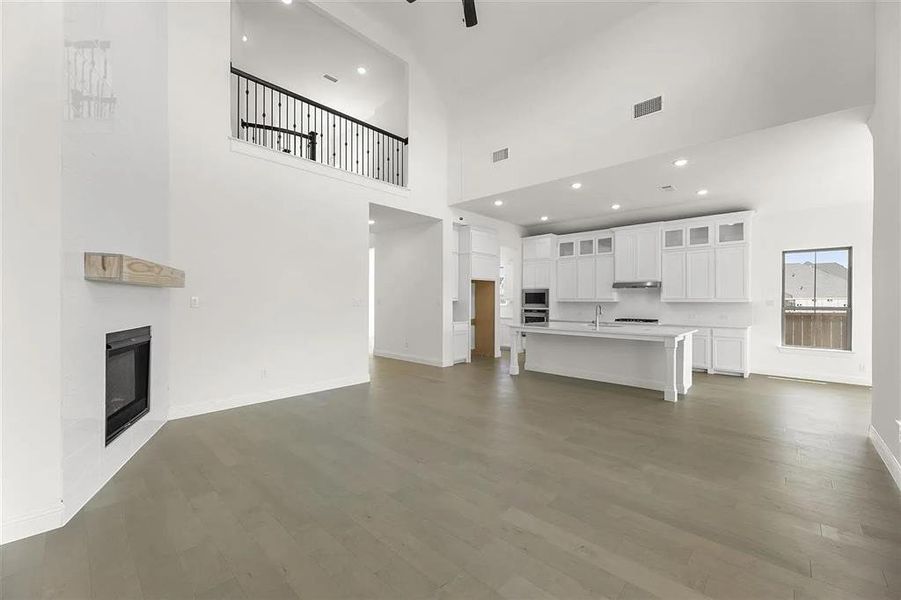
point(467, 483)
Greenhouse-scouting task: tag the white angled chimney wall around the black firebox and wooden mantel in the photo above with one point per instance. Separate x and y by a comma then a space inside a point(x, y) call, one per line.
point(115, 198)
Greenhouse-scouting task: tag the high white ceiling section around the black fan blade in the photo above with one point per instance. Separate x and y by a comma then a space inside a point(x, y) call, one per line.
point(510, 35)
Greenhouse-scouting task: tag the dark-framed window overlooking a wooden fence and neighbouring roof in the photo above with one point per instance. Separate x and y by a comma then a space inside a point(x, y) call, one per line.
point(816, 298)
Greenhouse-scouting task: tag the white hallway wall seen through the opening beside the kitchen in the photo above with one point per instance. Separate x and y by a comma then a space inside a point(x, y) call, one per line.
point(408, 293)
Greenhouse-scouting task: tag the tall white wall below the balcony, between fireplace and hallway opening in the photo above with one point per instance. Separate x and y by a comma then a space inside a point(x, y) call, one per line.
point(275, 248)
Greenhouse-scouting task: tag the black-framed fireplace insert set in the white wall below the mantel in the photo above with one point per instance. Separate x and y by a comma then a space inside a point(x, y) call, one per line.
point(127, 379)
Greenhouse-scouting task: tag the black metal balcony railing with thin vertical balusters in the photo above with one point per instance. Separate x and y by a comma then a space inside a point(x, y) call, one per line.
point(272, 116)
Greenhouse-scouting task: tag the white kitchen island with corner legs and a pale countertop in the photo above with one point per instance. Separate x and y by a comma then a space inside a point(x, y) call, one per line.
point(655, 357)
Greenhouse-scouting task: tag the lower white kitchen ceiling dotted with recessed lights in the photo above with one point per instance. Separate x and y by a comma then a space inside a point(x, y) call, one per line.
point(820, 161)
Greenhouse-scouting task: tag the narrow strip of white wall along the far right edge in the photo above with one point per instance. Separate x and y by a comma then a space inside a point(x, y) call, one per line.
point(885, 124)
